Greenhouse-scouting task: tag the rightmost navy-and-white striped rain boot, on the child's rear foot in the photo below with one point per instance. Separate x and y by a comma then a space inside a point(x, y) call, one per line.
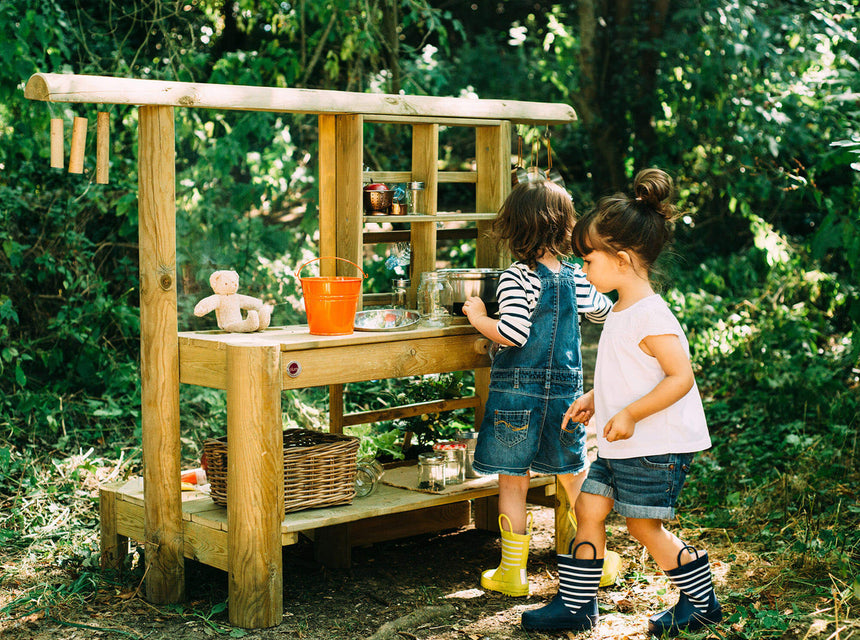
point(697, 605)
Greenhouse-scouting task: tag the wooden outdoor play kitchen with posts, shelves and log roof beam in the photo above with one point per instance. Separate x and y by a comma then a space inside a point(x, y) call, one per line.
point(247, 537)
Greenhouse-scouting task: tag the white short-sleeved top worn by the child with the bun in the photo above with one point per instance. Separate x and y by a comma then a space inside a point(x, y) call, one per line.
point(624, 373)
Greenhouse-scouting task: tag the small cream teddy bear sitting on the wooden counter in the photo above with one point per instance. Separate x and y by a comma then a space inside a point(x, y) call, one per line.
point(227, 305)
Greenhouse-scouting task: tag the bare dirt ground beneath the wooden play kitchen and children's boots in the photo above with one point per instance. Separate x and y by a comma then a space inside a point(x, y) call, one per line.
point(425, 587)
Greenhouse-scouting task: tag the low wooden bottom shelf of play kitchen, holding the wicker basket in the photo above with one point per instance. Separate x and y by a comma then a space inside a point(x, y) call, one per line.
point(387, 514)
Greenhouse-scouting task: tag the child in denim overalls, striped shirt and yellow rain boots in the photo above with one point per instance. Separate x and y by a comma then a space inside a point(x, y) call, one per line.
point(537, 368)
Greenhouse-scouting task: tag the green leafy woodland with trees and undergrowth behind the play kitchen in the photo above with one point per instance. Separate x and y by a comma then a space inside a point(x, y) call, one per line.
point(751, 105)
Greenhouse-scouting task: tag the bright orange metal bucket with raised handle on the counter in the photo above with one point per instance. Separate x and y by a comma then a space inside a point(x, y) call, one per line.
point(330, 302)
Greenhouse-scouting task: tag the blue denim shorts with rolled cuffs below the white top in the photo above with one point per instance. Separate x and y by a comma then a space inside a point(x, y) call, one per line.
point(646, 487)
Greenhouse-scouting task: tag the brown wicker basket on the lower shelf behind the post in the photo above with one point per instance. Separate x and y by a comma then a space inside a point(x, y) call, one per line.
point(319, 469)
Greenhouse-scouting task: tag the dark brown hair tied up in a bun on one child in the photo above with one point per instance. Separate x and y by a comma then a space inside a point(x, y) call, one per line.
point(641, 223)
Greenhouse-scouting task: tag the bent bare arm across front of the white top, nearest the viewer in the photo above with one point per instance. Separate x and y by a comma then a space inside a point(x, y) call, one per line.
point(675, 363)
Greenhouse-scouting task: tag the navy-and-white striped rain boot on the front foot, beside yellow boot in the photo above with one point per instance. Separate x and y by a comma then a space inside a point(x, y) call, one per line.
point(574, 607)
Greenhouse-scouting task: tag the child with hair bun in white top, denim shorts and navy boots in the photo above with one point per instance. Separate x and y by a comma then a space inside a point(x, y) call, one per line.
point(647, 412)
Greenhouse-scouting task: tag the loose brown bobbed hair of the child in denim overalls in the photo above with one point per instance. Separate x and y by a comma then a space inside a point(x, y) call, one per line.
point(536, 217)
